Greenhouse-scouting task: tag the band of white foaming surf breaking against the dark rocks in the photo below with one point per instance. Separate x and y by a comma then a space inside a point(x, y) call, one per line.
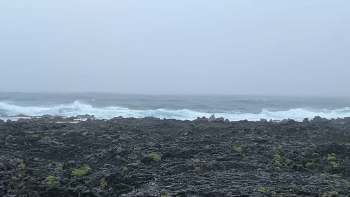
point(78, 108)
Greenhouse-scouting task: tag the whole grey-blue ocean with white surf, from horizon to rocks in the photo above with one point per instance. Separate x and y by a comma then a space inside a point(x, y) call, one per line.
point(182, 107)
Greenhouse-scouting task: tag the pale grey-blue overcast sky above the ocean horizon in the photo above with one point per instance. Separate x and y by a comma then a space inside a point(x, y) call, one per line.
point(275, 47)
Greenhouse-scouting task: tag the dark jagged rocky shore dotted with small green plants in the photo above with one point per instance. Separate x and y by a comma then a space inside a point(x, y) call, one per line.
point(170, 158)
